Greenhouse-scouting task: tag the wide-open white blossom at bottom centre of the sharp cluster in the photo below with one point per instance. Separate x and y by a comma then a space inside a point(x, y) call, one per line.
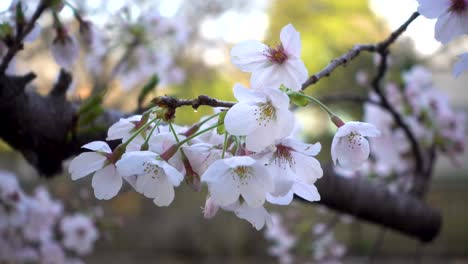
point(228, 179)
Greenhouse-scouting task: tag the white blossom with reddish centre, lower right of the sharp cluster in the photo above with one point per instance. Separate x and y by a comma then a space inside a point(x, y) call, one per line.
point(293, 161)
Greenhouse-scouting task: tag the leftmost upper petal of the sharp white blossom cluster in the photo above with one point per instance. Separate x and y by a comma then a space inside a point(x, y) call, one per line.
point(85, 164)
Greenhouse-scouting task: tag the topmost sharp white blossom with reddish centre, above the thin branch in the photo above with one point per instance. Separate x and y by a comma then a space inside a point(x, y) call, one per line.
point(271, 67)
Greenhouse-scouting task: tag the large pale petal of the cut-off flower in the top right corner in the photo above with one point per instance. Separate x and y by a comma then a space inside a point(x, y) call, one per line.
point(449, 26)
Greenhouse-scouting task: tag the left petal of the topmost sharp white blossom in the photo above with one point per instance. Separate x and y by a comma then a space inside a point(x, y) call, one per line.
point(249, 55)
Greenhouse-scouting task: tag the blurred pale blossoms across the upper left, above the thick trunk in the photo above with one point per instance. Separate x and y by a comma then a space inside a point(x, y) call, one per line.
point(132, 39)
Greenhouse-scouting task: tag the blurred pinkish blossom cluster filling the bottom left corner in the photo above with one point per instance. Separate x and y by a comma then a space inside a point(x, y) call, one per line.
point(36, 229)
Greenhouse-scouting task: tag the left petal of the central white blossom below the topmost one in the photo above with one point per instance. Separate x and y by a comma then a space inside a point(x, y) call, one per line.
point(240, 120)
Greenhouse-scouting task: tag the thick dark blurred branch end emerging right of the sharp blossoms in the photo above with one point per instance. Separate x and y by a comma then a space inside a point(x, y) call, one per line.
point(374, 203)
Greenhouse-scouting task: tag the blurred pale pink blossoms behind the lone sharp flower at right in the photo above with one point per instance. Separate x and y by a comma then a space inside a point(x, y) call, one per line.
point(430, 117)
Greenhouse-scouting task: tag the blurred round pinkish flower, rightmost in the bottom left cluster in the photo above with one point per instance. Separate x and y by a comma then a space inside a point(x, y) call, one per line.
point(79, 233)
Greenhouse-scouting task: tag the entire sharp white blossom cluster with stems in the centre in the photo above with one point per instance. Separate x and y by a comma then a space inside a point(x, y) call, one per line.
point(246, 155)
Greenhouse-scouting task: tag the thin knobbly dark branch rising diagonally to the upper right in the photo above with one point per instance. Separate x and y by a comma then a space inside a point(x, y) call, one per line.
point(354, 52)
